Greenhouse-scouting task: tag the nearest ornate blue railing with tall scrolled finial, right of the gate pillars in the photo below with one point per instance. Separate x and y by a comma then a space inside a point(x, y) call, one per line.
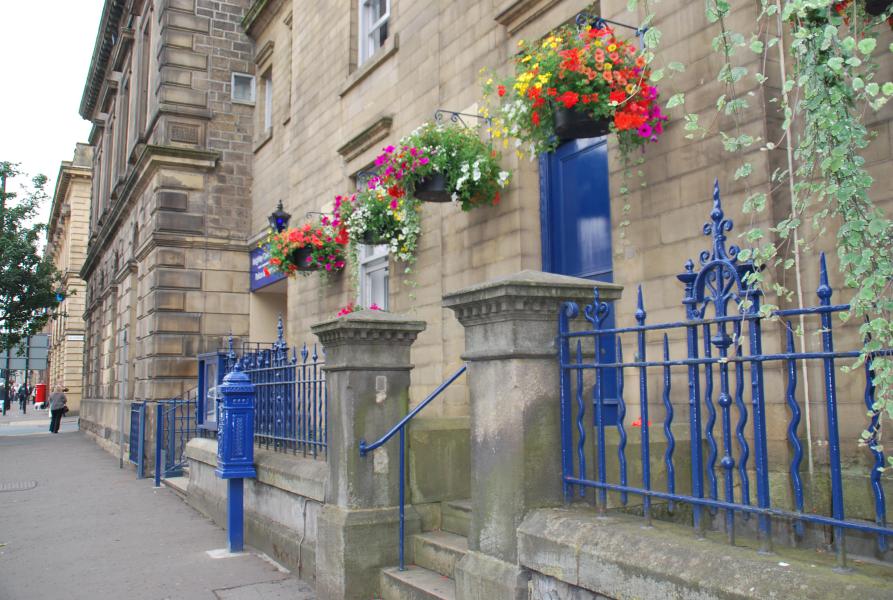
point(719, 369)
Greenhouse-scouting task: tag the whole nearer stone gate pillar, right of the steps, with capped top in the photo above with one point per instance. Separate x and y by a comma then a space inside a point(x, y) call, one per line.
point(511, 326)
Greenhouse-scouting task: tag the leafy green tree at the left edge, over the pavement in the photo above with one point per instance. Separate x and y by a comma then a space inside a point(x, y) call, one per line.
point(28, 281)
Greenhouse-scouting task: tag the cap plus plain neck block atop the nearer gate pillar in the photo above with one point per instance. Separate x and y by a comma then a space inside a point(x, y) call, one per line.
point(512, 315)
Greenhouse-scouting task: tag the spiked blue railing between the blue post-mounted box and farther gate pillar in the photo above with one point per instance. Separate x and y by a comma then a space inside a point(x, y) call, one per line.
point(290, 395)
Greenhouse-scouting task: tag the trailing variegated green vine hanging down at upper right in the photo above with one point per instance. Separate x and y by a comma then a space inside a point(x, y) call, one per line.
point(818, 63)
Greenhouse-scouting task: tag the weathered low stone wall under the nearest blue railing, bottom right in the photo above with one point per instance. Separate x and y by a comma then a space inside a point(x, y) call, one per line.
point(573, 554)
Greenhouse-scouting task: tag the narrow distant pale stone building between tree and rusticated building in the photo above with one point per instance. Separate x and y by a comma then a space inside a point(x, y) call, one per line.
point(67, 246)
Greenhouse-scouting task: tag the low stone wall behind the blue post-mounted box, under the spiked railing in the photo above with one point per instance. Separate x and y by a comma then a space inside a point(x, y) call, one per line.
point(281, 505)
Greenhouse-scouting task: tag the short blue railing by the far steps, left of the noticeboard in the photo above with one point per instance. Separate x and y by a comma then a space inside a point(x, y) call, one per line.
point(175, 425)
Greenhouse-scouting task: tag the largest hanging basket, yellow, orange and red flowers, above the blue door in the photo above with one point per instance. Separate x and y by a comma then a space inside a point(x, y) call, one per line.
point(577, 82)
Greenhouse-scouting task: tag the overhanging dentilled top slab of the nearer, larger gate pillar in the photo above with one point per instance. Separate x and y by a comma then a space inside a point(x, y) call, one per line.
point(524, 296)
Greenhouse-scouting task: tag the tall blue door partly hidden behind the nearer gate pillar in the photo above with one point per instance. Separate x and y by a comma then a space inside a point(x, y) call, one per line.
point(576, 229)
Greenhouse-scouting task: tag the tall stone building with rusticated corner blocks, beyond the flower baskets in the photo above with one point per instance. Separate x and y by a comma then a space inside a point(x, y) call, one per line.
point(166, 258)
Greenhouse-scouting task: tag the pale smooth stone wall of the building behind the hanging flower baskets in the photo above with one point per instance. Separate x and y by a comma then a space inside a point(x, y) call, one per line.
point(333, 116)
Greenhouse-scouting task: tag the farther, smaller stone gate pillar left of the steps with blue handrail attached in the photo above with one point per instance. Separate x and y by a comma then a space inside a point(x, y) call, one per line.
point(367, 378)
